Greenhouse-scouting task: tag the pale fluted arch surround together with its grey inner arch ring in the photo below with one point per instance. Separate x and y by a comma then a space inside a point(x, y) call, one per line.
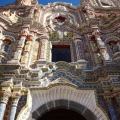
point(66, 96)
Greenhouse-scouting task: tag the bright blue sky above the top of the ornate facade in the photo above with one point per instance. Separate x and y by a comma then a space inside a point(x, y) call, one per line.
point(43, 2)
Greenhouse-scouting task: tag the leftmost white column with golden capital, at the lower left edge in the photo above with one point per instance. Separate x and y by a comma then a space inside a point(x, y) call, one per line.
point(4, 97)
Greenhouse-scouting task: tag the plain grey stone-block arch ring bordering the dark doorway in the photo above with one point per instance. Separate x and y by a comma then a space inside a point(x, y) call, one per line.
point(64, 104)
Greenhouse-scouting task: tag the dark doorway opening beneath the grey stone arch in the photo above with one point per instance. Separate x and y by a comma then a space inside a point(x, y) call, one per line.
point(62, 114)
